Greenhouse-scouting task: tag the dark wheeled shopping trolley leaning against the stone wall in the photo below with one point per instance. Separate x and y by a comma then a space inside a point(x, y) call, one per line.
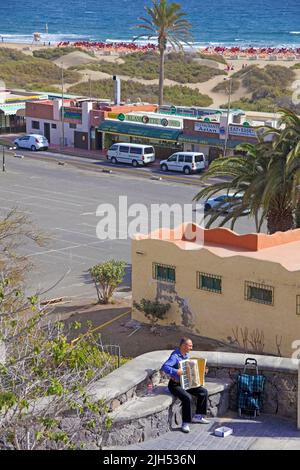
point(250, 389)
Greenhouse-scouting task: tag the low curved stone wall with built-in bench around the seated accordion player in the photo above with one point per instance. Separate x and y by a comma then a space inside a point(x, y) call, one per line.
point(128, 384)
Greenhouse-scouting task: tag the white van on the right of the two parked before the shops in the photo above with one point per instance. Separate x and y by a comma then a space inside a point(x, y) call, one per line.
point(185, 162)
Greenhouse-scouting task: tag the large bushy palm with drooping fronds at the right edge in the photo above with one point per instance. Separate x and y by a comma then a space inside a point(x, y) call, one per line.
point(268, 176)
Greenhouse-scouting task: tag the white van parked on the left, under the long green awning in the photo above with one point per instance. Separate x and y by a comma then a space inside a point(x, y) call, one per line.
point(135, 154)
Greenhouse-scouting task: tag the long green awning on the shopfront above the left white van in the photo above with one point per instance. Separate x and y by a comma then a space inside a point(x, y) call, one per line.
point(123, 128)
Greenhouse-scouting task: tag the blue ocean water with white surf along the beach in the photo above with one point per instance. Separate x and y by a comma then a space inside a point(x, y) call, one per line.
point(226, 22)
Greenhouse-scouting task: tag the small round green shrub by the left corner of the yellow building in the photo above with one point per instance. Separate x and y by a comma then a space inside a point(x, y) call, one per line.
point(107, 277)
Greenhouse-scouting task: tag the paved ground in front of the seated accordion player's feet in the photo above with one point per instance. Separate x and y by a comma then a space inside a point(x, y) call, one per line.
point(265, 432)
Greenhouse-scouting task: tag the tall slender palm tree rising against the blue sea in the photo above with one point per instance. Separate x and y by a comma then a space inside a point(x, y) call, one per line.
point(166, 22)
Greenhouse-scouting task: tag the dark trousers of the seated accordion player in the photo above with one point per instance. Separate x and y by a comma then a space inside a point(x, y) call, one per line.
point(186, 397)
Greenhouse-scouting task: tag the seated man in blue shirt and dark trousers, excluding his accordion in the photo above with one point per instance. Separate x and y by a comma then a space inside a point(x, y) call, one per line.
point(172, 368)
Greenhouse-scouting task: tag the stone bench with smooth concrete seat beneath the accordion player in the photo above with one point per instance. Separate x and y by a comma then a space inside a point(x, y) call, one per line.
point(149, 416)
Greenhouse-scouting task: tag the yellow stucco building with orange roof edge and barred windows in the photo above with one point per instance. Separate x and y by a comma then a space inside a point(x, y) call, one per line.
point(234, 288)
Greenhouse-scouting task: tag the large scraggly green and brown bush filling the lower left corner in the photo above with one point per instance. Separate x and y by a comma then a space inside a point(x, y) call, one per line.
point(44, 377)
